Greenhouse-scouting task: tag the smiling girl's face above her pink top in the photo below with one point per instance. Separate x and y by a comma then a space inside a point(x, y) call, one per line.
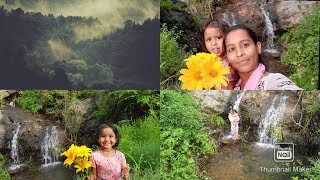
point(107, 138)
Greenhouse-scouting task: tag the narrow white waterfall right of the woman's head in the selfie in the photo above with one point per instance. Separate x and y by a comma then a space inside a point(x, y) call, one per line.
point(269, 29)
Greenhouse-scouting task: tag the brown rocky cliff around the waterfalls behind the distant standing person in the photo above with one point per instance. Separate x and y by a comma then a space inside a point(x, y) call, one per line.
point(253, 108)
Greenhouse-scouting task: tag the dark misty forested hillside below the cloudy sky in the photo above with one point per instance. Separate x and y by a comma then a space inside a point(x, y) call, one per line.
point(42, 51)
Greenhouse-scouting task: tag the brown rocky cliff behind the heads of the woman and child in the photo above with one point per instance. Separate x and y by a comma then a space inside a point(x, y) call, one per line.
point(283, 16)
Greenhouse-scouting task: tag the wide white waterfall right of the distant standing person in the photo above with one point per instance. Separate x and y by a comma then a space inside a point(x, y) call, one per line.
point(270, 120)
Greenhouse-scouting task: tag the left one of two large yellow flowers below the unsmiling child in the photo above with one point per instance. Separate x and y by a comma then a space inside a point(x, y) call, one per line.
point(191, 78)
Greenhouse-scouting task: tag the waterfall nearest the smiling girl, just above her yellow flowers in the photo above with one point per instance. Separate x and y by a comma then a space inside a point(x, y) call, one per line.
point(49, 147)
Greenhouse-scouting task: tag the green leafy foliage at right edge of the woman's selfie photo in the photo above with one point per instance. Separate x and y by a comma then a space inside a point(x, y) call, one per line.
point(302, 51)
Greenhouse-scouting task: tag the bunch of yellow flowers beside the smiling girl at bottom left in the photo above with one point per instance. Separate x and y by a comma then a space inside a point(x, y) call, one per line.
point(79, 156)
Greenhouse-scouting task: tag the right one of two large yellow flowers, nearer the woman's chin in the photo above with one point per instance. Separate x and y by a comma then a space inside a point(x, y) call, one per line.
point(214, 72)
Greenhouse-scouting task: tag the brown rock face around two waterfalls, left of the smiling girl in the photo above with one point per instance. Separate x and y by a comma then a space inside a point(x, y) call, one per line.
point(31, 132)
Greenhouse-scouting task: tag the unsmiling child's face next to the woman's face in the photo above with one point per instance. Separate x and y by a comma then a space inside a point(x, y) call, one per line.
point(213, 39)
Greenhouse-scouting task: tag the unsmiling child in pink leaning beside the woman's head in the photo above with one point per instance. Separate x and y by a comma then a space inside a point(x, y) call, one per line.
point(213, 34)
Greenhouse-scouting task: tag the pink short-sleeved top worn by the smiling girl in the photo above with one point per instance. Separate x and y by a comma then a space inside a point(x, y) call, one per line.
point(108, 168)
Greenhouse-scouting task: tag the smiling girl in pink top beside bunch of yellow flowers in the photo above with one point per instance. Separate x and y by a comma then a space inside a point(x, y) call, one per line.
point(108, 163)
